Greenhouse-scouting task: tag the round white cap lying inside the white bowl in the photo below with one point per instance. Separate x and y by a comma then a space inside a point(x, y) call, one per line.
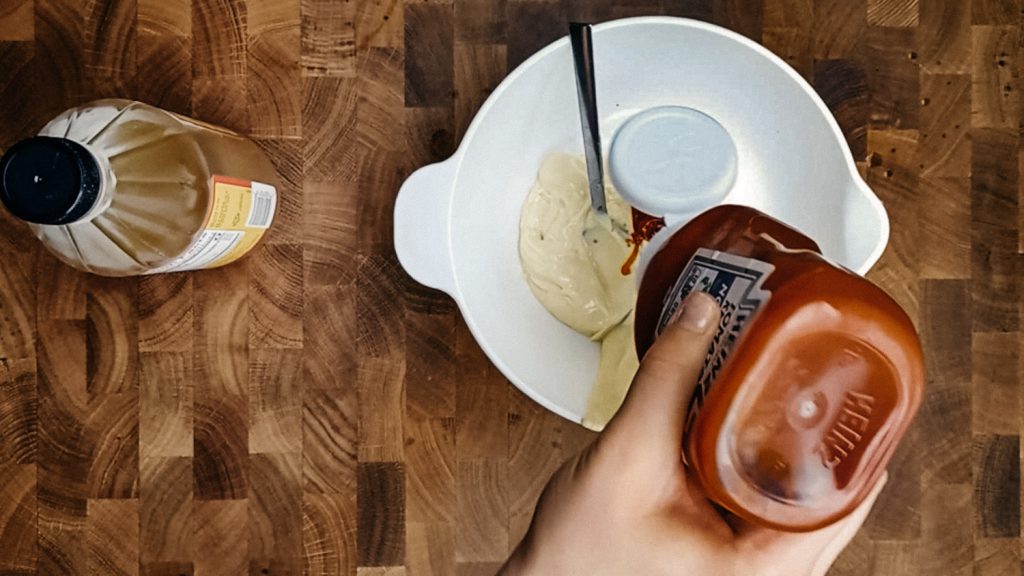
point(672, 161)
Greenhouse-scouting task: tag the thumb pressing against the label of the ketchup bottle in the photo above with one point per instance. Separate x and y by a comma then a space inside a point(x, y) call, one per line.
point(655, 410)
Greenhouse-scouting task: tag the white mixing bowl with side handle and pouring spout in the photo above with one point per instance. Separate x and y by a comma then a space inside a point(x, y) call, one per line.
point(456, 223)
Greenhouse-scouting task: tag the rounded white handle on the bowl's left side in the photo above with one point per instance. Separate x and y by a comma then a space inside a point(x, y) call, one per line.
point(422, 226)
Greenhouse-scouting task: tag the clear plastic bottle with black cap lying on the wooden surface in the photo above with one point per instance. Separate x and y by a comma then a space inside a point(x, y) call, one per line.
point(120, 188)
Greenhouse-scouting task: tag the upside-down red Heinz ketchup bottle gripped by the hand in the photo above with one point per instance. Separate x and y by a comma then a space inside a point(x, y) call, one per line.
point(813, 379)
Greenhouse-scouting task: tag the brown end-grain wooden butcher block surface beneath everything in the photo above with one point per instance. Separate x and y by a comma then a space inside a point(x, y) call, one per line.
point(313, 410)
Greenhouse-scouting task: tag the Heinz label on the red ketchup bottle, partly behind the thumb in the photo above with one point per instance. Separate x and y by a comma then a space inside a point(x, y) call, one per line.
point(736, 283)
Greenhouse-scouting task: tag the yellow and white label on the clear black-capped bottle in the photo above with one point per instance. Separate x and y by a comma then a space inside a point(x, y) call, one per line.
point(240, 214)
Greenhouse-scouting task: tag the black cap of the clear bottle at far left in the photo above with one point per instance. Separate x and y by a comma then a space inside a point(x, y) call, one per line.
point(50, 181)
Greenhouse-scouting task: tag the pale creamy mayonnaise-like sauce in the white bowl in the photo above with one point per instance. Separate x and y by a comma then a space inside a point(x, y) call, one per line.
point(572, 261)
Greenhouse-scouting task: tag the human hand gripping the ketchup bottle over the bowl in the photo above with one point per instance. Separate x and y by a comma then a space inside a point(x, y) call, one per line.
point(628, 506)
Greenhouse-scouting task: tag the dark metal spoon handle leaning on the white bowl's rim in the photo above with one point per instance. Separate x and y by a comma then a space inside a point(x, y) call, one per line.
point(583, 58)
